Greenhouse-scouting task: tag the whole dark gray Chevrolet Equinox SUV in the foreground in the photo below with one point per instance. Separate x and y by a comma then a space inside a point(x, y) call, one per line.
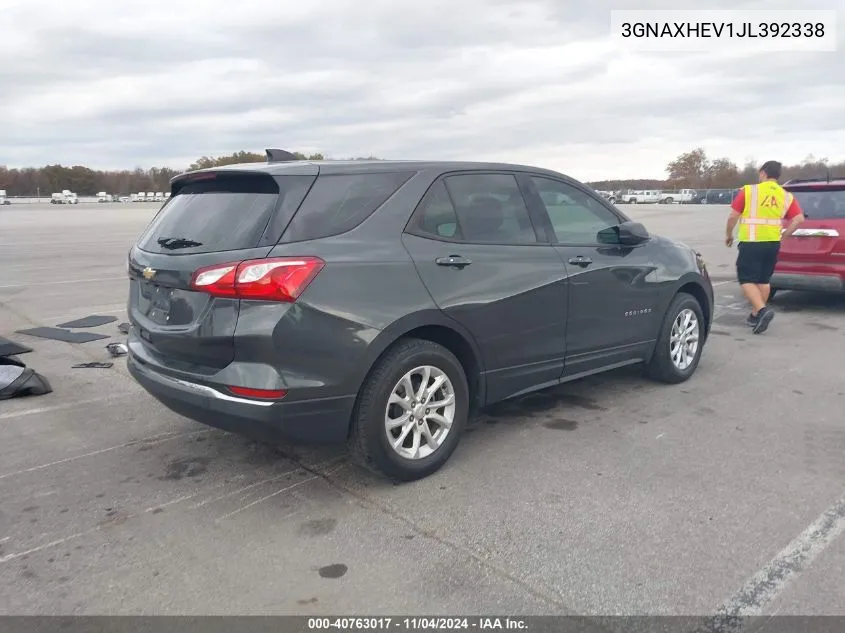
point(381, 303)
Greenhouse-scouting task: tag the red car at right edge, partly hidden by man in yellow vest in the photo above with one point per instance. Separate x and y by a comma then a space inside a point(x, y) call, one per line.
point(813, 258)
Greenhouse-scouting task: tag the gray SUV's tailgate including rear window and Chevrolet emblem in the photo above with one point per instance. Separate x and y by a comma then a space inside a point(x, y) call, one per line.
point(210, 219)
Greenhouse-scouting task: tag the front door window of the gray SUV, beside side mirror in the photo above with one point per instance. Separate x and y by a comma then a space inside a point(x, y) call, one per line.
point(575, 216)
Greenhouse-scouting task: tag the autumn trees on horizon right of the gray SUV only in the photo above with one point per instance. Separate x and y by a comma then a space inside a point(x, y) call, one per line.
point(695, 170)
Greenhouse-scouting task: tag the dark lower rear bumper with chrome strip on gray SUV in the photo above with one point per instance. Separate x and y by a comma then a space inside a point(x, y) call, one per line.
point(319, 421)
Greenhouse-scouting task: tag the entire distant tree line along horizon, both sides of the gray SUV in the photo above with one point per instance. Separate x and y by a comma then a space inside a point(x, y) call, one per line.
point(692, 170)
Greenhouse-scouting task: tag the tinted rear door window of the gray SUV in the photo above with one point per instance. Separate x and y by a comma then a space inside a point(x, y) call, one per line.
point(490, 209)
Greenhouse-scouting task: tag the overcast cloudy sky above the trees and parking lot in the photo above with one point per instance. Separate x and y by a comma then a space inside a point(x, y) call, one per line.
point(161, 82)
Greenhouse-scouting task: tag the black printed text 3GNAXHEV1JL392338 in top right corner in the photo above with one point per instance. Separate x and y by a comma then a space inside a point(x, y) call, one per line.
point(743, 30)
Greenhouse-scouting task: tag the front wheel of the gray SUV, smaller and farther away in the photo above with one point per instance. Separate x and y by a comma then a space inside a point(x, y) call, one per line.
point(680, 342)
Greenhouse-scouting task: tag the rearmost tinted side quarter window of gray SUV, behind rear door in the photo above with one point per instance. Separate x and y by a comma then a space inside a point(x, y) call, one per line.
point(338, 203)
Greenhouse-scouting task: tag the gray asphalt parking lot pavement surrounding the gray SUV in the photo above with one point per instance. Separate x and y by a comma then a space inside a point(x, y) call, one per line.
point(611, 495)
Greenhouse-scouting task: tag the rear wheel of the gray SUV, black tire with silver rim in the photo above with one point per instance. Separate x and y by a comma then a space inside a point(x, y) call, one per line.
point(369, 441)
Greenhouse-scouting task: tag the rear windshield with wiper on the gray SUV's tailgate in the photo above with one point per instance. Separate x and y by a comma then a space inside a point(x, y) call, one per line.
point(225, 212)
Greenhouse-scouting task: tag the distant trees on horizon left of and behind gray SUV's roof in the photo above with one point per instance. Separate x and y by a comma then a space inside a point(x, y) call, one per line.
point(84, 181)
